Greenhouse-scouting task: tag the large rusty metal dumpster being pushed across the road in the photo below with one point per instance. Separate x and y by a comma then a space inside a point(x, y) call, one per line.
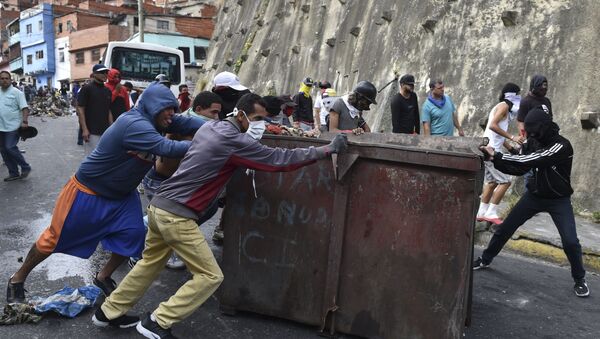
point(381, 248)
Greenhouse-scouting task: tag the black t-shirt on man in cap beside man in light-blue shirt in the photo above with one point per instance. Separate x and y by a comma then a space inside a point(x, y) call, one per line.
point(405, 114)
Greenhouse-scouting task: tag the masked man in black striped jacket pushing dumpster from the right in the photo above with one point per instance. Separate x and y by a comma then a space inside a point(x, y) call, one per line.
point(548, 190)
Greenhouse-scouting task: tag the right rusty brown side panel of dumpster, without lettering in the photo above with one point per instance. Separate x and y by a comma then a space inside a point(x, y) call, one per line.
point(406, 253)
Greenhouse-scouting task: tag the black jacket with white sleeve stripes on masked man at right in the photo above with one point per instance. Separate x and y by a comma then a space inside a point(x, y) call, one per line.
point(551, 167)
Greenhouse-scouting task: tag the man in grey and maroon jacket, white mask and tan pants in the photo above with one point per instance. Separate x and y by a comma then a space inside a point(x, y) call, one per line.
point(217, 150)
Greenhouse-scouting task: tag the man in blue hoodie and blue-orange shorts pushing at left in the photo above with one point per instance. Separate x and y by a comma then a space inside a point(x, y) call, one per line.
point(100, 202)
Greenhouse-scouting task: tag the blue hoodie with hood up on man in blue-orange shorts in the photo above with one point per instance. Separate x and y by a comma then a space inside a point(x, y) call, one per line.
point(126, 151)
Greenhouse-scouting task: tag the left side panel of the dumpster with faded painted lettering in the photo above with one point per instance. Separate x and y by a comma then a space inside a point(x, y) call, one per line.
point(275, 250)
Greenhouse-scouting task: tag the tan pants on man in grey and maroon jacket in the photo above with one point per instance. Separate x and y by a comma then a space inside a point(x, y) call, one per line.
point(168, 232)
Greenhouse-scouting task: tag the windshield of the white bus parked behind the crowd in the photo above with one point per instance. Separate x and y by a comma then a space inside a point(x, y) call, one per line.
point(145, 65)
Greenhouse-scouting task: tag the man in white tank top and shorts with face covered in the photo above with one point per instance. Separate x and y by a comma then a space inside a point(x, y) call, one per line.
point(496, 182)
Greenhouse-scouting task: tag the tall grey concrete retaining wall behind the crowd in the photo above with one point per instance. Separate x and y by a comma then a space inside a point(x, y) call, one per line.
point(470, 49)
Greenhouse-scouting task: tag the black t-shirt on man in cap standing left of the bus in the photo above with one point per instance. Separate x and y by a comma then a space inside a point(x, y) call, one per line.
point(95, 98)
